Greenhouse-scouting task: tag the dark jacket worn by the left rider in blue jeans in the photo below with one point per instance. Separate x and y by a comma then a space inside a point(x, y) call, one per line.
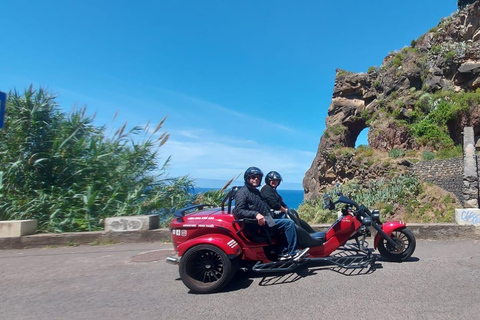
point(248, 203)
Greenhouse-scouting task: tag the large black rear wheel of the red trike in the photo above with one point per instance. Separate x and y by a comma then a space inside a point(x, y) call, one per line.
point(206, 268)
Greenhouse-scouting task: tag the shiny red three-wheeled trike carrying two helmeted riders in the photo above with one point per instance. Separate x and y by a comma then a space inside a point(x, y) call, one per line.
point(211, 245)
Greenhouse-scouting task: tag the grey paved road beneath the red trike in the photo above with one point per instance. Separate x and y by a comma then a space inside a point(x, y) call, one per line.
point(132, 281)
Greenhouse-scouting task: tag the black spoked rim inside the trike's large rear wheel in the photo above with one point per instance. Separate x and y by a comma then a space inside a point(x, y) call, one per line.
point(206, 267)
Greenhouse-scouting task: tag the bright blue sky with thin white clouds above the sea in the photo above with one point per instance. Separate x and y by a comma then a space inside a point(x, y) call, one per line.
point(243, 83)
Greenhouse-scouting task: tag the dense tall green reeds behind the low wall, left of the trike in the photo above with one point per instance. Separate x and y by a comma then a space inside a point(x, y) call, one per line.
point(65, 172)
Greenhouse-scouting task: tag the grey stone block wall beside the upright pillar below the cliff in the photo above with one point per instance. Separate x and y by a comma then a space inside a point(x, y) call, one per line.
point(447, 174)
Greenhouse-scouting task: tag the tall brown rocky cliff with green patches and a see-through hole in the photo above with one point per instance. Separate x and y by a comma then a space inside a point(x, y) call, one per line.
point(420, 98)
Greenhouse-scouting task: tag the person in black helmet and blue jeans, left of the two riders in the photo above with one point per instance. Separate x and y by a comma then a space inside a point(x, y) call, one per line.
point(249, 204)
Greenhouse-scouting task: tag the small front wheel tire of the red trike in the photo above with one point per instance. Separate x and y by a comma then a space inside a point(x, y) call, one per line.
point(406, 240)
